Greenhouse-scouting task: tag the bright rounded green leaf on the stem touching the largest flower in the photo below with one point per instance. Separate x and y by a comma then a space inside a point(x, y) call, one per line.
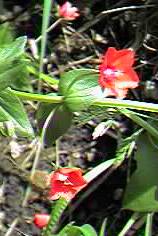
point(80, 88)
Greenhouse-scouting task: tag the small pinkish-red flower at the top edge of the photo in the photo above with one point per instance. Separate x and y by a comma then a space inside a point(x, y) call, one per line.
point(68, 12)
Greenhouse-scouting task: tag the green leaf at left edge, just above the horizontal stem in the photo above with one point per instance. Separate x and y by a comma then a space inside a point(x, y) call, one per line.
point(13, 66)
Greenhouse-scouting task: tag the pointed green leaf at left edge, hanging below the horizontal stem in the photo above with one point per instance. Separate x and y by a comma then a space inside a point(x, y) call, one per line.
point(11, 109)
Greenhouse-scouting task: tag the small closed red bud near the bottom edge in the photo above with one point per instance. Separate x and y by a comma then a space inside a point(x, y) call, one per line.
point(41, 220)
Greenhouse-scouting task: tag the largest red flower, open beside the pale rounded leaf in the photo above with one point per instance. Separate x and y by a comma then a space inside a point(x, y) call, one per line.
point(116, 72)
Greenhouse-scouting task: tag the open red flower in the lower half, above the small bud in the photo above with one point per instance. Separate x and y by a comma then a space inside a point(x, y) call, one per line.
point(66, 183)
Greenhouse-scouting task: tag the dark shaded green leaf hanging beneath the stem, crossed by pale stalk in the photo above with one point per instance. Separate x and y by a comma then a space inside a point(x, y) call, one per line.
point(53, 122)
